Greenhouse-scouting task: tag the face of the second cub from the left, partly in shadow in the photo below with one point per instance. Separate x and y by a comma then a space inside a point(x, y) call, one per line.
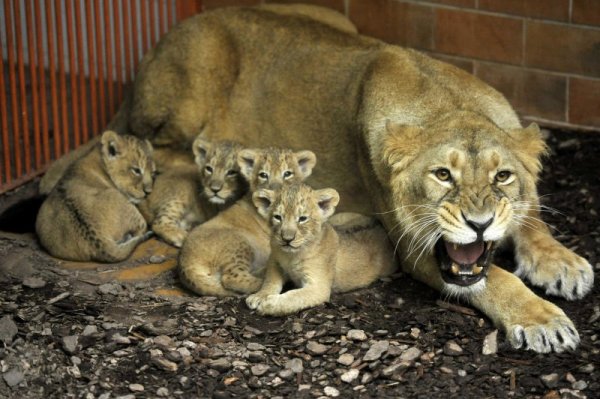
point(219, 170)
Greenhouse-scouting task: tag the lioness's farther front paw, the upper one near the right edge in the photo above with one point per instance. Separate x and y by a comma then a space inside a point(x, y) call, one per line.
point(557, 269)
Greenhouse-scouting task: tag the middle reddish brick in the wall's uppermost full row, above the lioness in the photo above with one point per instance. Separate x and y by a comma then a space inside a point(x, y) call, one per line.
point(479, 36)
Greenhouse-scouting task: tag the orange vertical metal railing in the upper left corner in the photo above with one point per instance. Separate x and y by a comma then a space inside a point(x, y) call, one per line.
point(64, 68)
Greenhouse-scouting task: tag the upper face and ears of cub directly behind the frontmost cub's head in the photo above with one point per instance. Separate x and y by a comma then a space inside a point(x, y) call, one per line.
point(274, 167)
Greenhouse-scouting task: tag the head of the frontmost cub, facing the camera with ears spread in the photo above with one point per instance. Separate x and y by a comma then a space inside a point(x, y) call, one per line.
point(295, 213)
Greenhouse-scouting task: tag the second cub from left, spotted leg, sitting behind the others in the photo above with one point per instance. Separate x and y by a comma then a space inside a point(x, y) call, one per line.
point(187, 195)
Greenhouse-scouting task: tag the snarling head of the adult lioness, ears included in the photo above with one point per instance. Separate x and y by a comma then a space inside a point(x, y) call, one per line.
point(458, 188)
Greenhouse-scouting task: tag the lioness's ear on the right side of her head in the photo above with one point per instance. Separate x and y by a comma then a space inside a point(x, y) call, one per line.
point(530, 147)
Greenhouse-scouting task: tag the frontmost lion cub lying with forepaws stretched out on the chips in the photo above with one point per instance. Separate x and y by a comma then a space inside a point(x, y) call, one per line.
point(307, 250)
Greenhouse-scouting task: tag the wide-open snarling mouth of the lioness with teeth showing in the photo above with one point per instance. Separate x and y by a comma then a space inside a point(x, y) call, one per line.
point(464, 264)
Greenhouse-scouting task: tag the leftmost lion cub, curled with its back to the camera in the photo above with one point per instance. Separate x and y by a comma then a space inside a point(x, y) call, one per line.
point(90, 214)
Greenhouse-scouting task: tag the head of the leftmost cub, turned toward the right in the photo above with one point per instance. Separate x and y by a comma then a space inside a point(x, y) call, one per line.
point(128, 162)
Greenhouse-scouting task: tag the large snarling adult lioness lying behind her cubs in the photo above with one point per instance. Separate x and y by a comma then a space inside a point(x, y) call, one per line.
point(437, 154)
